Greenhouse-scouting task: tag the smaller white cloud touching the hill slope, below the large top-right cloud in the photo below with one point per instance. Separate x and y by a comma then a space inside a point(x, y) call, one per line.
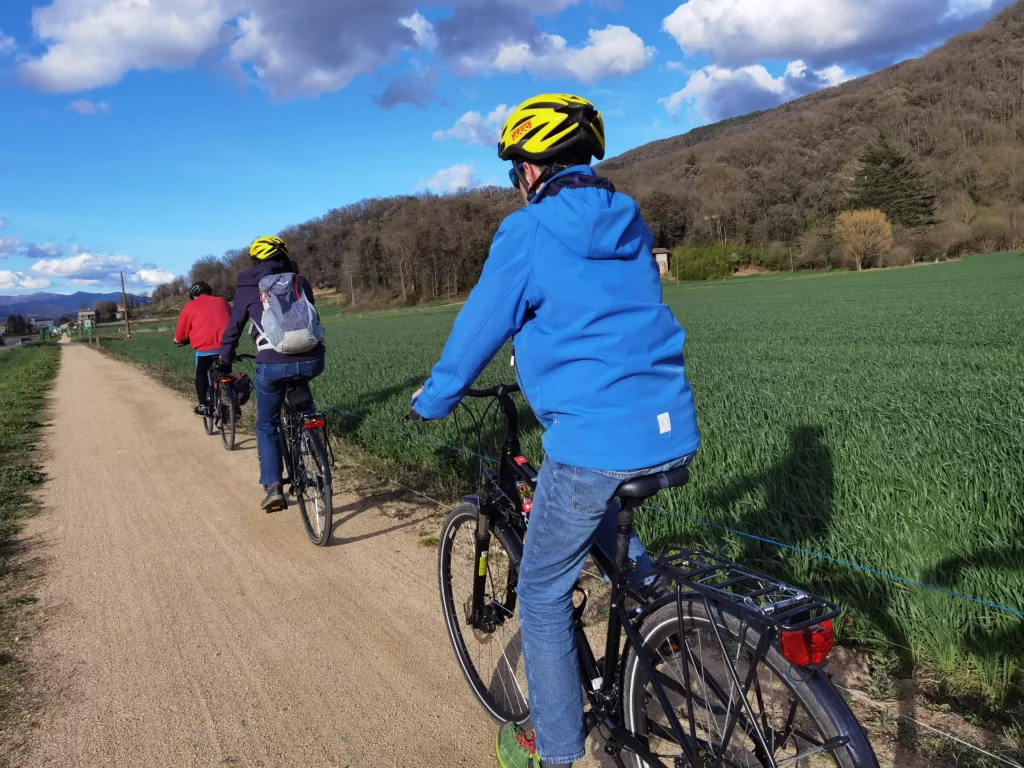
point(717, 93)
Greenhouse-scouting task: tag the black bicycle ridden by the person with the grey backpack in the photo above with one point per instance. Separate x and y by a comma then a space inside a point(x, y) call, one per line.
point(306, 449)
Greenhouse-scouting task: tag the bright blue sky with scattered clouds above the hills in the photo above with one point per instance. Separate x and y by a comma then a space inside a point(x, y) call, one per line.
point(139, 136)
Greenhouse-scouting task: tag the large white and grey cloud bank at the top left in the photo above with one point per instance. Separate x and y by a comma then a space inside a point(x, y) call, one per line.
point(304, 48)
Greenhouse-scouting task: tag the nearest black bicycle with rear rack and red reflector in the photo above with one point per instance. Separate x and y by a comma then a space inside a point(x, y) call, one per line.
point(726, 669)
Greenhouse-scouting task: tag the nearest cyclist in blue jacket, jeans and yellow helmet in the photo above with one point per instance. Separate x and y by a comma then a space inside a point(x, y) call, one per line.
point(601, 360)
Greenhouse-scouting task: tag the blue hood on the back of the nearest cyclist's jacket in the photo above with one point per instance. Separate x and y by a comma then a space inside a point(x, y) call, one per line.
point(586, 215)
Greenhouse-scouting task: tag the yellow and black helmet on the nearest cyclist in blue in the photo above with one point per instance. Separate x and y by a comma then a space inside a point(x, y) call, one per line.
point(549, 125)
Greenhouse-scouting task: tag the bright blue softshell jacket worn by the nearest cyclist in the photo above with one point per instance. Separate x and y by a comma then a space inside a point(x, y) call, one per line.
point(598, 353)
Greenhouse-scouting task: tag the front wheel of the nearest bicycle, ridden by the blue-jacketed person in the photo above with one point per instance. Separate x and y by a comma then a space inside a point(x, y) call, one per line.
point(505, 699)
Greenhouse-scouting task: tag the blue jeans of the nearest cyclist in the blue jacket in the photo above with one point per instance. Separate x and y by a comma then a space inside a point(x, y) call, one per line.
point(574, 509)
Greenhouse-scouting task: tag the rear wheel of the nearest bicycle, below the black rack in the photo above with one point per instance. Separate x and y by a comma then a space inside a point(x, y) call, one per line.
point(788, 714)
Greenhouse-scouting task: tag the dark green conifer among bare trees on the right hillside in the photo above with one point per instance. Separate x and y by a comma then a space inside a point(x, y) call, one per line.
point(892, 183)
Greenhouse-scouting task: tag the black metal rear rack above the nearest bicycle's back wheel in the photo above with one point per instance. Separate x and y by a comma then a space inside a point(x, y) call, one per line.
point(756, 595)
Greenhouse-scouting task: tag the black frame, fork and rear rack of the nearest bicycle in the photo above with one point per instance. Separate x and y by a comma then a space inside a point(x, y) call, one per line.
point(761, 604)
